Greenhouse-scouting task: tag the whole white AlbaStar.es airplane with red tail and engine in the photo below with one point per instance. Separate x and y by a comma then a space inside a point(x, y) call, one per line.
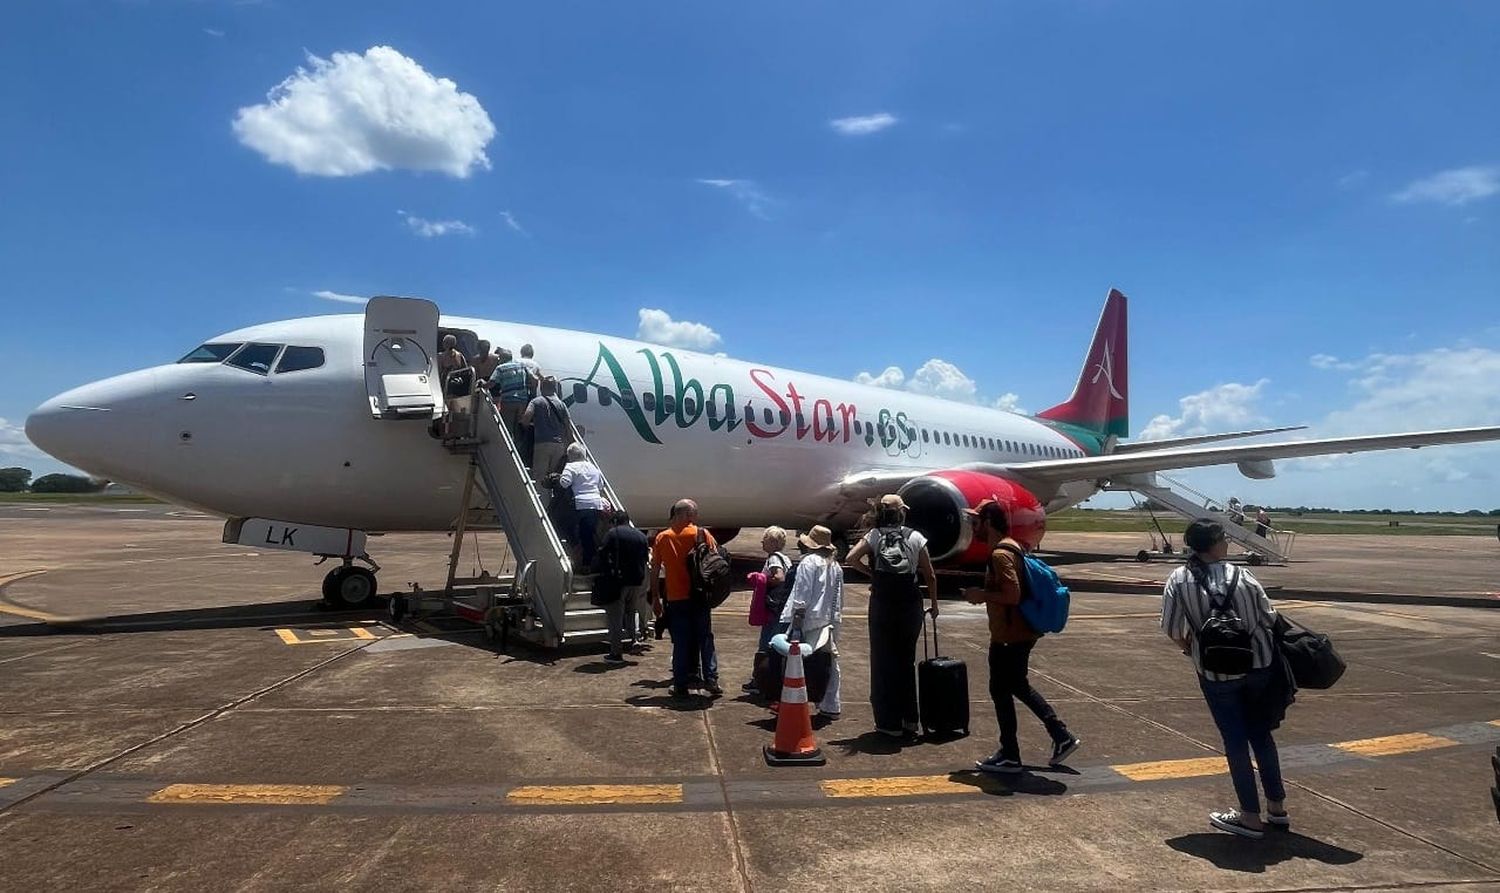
point(310, 422)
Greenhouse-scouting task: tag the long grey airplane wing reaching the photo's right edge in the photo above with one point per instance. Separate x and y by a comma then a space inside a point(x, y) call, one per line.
point(1166, 460)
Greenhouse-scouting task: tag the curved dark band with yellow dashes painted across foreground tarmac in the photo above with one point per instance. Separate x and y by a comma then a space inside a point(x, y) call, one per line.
point(700, 795)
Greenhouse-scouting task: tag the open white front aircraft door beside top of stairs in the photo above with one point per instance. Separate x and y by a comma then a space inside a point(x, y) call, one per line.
point(401, 371)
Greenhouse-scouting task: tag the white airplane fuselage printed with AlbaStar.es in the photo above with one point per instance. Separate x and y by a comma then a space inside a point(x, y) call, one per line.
point(754, 445)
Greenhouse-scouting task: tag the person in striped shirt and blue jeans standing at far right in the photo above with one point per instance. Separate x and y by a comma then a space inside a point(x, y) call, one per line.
point(1220, 616)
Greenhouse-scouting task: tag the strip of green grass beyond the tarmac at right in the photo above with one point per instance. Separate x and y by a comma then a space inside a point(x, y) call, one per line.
point(1333, 523)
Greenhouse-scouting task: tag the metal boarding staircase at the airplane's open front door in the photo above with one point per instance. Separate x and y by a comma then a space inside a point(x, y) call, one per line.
point(545, 600)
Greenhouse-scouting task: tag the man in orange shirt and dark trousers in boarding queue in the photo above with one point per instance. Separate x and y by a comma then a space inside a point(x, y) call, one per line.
point(688, 615)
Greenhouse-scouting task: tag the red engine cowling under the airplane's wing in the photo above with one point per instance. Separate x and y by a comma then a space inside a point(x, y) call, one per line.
point(937, 507)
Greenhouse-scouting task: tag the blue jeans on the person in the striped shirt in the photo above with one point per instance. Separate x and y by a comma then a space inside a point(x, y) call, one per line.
point(1238, 708)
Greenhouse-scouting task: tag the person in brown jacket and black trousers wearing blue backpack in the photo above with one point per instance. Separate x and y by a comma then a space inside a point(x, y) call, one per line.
point(1012, 642)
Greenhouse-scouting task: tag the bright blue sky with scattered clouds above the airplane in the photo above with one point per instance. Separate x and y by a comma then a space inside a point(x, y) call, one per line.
point(1301, 200)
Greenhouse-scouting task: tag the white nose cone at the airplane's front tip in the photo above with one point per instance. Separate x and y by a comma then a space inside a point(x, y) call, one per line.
point(101, 428)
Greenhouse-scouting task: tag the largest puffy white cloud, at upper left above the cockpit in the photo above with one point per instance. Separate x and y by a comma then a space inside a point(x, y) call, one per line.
point(355, 115)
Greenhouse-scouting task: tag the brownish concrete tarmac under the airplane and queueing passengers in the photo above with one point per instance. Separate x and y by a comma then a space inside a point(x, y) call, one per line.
point(209, 727)
